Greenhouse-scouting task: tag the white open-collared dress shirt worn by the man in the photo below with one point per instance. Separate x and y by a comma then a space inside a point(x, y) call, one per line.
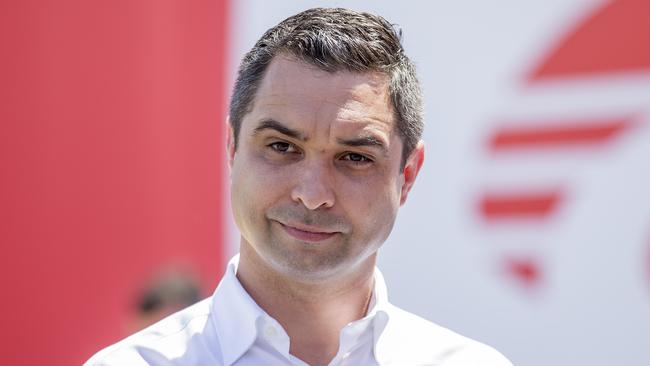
point(230, 329)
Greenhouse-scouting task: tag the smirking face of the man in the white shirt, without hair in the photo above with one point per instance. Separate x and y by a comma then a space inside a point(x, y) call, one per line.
point(316, 177)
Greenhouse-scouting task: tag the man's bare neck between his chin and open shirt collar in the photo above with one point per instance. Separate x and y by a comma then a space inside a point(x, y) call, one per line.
point(312, 313)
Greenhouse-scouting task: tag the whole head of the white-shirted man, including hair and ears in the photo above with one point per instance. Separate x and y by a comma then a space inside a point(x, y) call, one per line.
point(322, 147)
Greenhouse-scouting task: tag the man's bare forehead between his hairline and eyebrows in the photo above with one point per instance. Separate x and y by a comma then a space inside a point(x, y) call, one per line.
point(293, 90)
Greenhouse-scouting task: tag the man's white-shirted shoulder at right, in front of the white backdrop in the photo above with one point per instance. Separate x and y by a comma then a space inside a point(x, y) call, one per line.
point(408, 336)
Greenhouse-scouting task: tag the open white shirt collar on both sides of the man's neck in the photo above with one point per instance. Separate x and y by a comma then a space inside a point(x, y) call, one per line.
point(237, 316)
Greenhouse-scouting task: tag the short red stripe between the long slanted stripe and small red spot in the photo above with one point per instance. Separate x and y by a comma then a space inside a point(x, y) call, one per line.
point(519, 205)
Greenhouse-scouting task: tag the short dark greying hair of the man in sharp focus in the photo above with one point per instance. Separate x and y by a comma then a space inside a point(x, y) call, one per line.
point(335, 39)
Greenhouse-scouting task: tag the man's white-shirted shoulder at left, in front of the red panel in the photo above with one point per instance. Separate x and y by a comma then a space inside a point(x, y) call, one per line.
point(179, 336)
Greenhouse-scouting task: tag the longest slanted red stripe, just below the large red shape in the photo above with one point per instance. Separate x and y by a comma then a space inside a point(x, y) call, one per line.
point(548, 136)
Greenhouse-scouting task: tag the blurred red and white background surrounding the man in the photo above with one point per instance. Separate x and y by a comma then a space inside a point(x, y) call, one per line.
point(528, 229)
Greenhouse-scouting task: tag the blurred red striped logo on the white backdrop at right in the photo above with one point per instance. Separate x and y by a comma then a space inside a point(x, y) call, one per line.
point(579, 81)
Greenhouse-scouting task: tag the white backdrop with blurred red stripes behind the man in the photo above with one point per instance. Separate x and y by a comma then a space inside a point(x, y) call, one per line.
point(529, 227)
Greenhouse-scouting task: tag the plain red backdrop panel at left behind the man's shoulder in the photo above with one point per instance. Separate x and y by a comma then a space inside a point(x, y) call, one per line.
point(111, 150)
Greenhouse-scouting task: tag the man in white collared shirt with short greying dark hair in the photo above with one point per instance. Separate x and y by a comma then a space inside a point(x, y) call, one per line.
point(324, 146)
